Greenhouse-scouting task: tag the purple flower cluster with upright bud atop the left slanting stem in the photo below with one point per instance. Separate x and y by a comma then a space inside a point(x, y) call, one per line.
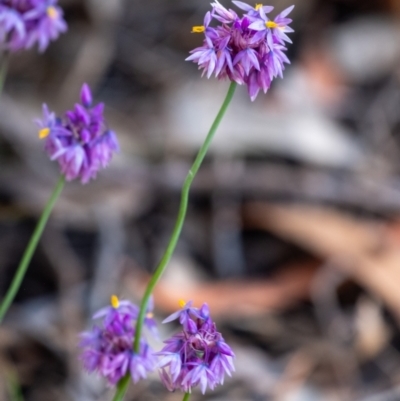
point(79, 142)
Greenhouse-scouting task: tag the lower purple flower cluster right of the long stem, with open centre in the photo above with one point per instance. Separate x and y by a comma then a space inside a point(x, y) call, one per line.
point(198, 355)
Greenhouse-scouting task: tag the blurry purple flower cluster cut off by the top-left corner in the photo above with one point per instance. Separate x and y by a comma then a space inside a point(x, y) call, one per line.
point(23, 23)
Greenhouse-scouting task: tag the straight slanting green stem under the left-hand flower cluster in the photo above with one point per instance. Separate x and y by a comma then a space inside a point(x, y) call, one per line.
point(30, 249)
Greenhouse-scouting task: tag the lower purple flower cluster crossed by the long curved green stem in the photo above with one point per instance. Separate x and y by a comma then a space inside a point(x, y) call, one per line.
point(108, 348)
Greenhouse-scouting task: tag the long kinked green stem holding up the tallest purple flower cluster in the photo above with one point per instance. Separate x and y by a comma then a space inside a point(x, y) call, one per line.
point(181, 215)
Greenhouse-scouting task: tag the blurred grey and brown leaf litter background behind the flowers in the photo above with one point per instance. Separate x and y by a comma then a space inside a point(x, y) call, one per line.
point(293, 229)
